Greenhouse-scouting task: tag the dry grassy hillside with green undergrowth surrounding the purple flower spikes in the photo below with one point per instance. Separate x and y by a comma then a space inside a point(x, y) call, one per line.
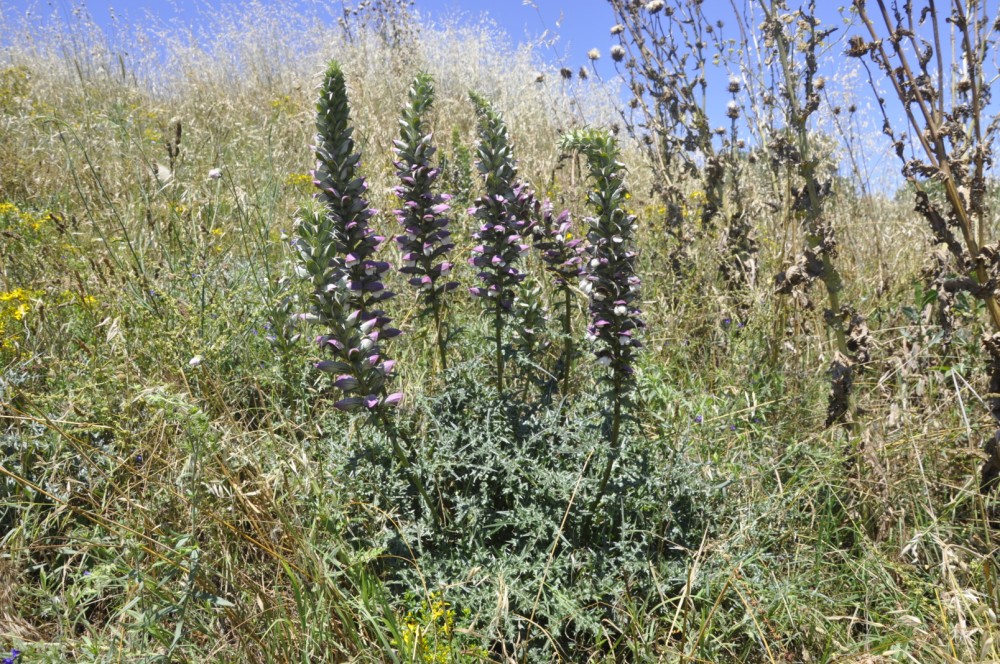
point(176, 487)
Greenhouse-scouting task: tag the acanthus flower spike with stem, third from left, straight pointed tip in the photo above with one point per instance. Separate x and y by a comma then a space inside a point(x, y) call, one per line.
point(504, 212)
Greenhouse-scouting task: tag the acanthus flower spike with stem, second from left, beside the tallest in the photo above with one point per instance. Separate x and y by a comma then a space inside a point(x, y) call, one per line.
point(425, 239)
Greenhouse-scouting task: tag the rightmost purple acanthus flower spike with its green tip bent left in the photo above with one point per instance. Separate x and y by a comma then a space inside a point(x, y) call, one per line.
point(611, 281)
